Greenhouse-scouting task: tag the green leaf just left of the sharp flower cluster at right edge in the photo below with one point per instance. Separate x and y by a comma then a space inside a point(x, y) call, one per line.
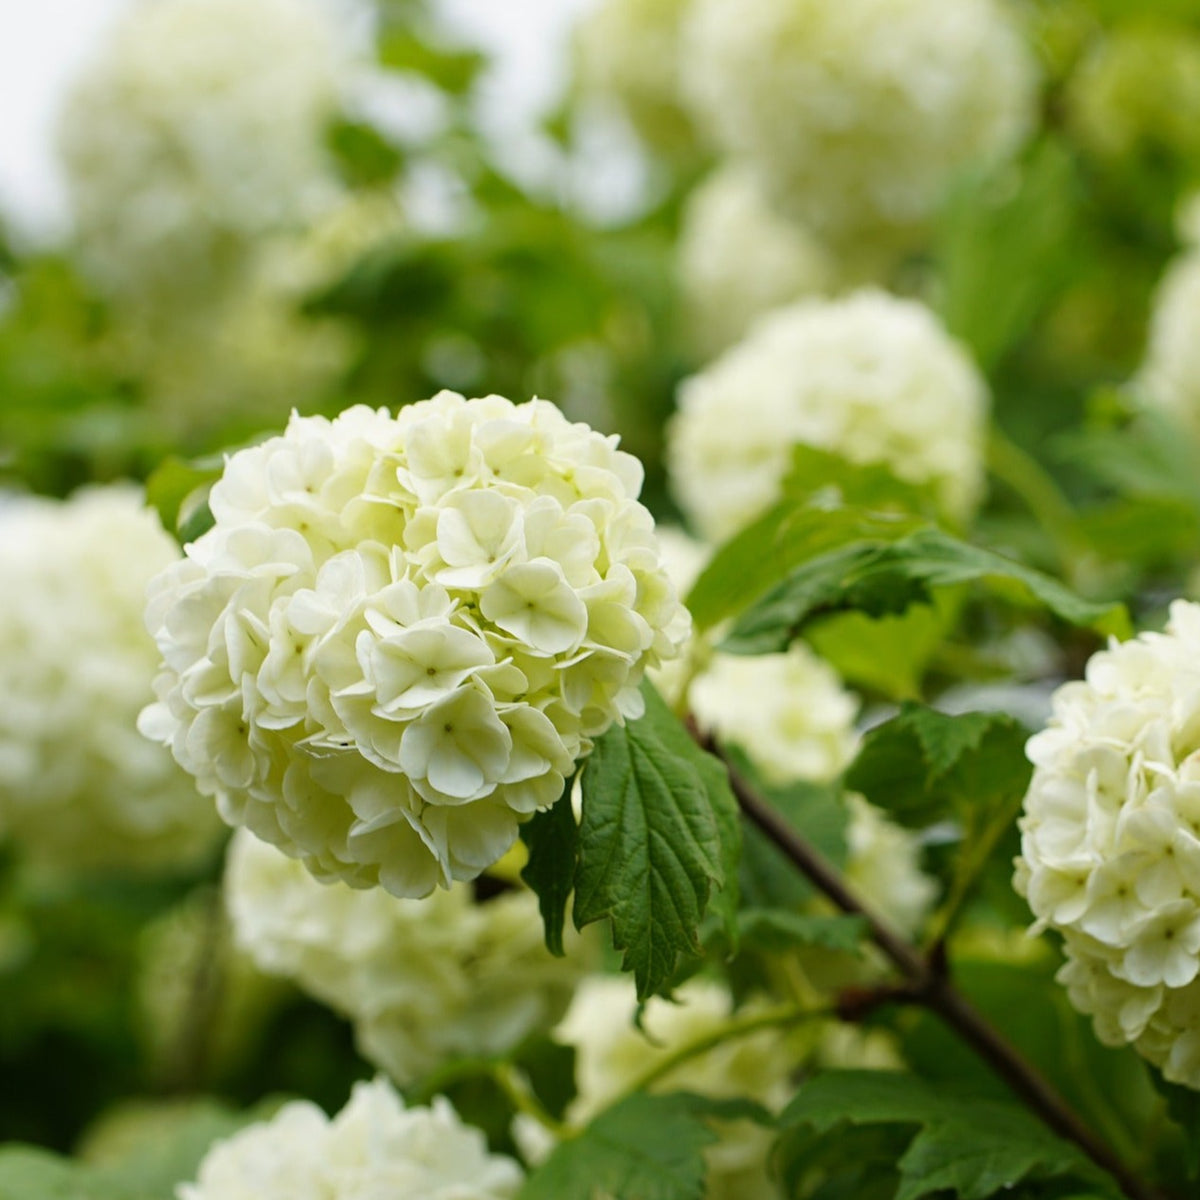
point(923, 765)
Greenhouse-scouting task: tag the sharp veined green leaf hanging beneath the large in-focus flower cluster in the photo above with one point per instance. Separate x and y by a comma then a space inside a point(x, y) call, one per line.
point(651, 842)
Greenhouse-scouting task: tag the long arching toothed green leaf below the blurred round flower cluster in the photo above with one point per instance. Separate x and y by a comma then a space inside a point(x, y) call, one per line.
point(881, 578)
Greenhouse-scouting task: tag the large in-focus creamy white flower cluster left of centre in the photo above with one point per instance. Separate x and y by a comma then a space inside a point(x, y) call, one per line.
point(403, 633)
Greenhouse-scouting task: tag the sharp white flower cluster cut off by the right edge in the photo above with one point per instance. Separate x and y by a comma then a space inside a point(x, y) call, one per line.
point(1111, 843)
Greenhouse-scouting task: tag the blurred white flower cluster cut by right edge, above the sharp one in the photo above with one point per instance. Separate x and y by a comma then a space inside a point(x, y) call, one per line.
point(1169, 379)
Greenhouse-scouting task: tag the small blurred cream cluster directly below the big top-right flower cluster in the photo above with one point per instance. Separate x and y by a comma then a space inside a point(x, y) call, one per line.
point(737, 259)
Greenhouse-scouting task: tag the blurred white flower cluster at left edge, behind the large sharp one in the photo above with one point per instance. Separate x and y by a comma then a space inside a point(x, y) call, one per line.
point(79, 787)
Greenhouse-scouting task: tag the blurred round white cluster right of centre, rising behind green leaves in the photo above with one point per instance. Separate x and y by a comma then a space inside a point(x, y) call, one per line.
point(872, 377)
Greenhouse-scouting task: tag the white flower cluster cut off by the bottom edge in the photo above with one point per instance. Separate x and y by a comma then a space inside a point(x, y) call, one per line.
point(374, 1148)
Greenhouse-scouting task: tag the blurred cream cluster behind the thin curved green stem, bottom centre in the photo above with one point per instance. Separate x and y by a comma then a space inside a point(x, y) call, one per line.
point(613, 1055)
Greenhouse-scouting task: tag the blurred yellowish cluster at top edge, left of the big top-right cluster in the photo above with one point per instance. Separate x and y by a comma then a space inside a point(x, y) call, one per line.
point(629, 50)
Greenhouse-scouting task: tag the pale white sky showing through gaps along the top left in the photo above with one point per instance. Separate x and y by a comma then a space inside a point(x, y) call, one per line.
point(43, 45)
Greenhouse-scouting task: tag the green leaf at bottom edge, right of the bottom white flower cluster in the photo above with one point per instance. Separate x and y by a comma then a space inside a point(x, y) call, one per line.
point(645, 1148)
